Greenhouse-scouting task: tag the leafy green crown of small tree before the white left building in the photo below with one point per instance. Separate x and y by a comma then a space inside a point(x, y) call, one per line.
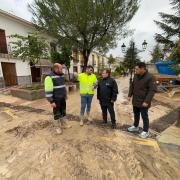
point(30, 48)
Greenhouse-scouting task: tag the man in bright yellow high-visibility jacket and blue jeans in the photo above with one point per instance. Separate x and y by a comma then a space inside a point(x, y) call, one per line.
point(87, 81)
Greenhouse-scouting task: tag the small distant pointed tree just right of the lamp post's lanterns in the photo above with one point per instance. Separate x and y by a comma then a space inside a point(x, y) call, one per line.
point(157, 53)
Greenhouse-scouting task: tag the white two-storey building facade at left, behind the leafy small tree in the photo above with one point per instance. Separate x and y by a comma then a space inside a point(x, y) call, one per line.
point(15, 71)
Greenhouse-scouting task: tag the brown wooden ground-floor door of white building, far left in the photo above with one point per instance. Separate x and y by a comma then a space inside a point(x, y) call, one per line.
point(9, 73)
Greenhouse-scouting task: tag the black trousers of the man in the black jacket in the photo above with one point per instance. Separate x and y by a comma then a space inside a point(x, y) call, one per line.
point(108, 107)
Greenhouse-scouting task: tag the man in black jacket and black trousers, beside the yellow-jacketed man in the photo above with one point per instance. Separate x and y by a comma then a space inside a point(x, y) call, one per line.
point(107, 94)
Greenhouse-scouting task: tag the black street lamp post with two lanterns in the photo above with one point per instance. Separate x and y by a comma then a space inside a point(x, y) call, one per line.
point(132, 47)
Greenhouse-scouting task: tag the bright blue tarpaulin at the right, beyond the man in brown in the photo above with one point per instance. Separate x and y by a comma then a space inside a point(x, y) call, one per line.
point(165, 67)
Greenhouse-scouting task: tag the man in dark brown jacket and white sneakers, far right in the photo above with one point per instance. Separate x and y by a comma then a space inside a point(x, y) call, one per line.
point(142, 91)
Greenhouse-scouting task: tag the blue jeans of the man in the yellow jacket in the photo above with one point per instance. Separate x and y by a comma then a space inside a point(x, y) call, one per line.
point(86, 103)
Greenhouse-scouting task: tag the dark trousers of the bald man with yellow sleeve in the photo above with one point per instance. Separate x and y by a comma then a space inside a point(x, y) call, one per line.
point(60, 110)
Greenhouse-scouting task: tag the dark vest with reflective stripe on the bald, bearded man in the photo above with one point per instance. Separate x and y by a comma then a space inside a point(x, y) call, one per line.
point(59, 89)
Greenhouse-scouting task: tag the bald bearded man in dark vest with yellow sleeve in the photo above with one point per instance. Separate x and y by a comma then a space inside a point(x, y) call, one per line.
point(55, 91)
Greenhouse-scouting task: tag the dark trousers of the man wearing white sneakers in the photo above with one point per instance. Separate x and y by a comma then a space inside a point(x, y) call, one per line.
point(144, 114)
